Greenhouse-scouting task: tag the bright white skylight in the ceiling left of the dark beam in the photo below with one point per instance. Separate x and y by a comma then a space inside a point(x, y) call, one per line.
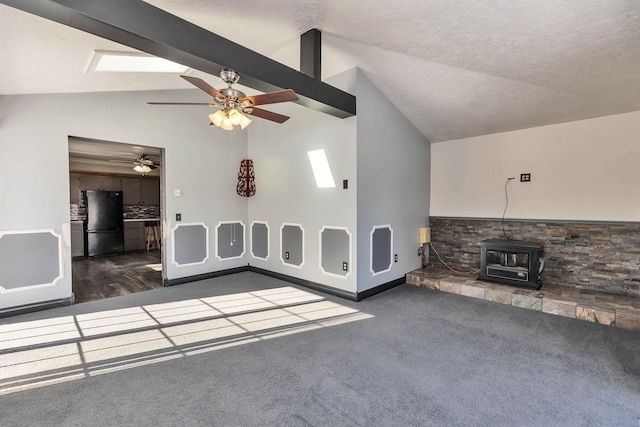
point(132, 62)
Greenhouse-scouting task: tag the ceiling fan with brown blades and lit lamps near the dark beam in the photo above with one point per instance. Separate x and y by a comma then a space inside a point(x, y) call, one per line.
point(234, 104)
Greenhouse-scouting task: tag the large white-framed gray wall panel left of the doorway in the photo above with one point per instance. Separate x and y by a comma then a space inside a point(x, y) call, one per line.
point(30, 259)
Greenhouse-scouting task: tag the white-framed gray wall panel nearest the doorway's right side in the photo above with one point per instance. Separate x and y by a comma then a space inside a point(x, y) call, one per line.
point(190, 244)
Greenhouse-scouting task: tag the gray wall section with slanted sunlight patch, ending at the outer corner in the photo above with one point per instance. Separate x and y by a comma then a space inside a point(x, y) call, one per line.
point(287, 192)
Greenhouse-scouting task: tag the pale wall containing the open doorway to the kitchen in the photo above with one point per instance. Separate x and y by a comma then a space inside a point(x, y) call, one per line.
point(201, 160)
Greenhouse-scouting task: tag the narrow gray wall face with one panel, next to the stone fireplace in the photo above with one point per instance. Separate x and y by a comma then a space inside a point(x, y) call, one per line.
point(393, 182)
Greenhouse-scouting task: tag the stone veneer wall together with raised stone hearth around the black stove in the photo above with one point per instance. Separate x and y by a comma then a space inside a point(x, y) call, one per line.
point(591, 269)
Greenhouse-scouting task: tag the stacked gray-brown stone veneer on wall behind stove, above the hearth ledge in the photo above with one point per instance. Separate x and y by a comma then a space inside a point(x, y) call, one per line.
point(596, 256)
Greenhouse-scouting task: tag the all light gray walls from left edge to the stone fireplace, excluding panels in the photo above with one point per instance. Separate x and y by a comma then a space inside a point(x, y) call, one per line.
point(384, 158)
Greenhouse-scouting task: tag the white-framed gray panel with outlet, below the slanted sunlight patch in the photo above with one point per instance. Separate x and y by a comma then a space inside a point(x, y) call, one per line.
point(335, 249)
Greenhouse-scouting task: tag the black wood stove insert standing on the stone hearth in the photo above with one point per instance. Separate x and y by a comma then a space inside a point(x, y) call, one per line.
point(511, 262)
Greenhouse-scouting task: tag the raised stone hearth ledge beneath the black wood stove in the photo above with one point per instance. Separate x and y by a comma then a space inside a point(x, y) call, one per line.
point(622, 311)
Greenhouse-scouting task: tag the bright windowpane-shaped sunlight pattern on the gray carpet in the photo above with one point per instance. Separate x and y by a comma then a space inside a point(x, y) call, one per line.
point(39, 353)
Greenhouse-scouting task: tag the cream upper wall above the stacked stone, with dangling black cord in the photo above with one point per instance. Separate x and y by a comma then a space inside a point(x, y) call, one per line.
point(582, 170)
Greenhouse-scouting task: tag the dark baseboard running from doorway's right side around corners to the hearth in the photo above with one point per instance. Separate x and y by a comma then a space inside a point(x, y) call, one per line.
point(353, 296)
